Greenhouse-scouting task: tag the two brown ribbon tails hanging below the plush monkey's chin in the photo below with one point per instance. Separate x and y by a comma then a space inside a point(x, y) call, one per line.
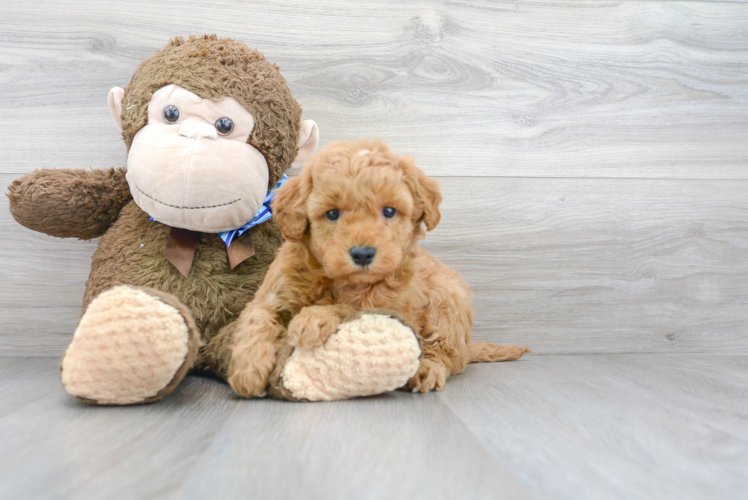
point(182, 244)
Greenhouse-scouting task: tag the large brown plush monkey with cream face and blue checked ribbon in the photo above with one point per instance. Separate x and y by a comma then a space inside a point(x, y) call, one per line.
point(186, 230)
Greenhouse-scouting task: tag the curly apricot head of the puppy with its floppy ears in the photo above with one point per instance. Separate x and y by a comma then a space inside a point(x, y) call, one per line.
point(359, 208)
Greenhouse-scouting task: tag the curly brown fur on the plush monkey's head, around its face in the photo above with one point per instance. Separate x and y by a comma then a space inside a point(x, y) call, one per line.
point(214, 68)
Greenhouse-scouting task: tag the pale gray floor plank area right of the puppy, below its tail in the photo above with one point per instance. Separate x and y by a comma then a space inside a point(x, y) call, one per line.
point(633, 426)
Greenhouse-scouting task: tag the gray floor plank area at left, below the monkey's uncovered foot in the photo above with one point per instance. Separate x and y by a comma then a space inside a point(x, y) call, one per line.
point(59, 448)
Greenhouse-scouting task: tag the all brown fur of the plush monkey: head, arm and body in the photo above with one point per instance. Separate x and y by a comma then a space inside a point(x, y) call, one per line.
point(88, 204)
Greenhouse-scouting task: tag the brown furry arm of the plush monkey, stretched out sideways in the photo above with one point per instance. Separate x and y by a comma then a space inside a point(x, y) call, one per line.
point(69, 203)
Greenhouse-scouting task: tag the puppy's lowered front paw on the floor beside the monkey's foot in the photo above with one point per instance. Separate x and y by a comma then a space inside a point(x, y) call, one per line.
point(250, 367)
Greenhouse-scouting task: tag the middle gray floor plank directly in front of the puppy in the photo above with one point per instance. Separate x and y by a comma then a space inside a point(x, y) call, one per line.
point(393, 446)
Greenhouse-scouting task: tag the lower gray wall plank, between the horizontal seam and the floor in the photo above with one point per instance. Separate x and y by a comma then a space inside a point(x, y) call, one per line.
point(561, 265)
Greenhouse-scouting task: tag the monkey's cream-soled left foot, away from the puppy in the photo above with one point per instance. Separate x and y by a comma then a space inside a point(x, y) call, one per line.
point(133, 345)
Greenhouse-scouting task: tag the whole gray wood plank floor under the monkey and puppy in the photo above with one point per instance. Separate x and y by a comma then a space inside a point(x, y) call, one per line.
point(569, 427)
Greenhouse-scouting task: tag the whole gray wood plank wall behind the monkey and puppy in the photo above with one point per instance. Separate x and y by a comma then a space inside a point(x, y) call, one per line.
point(593, 155)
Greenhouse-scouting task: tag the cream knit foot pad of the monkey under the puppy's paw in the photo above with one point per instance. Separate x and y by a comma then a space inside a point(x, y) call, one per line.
point(369, 355)
